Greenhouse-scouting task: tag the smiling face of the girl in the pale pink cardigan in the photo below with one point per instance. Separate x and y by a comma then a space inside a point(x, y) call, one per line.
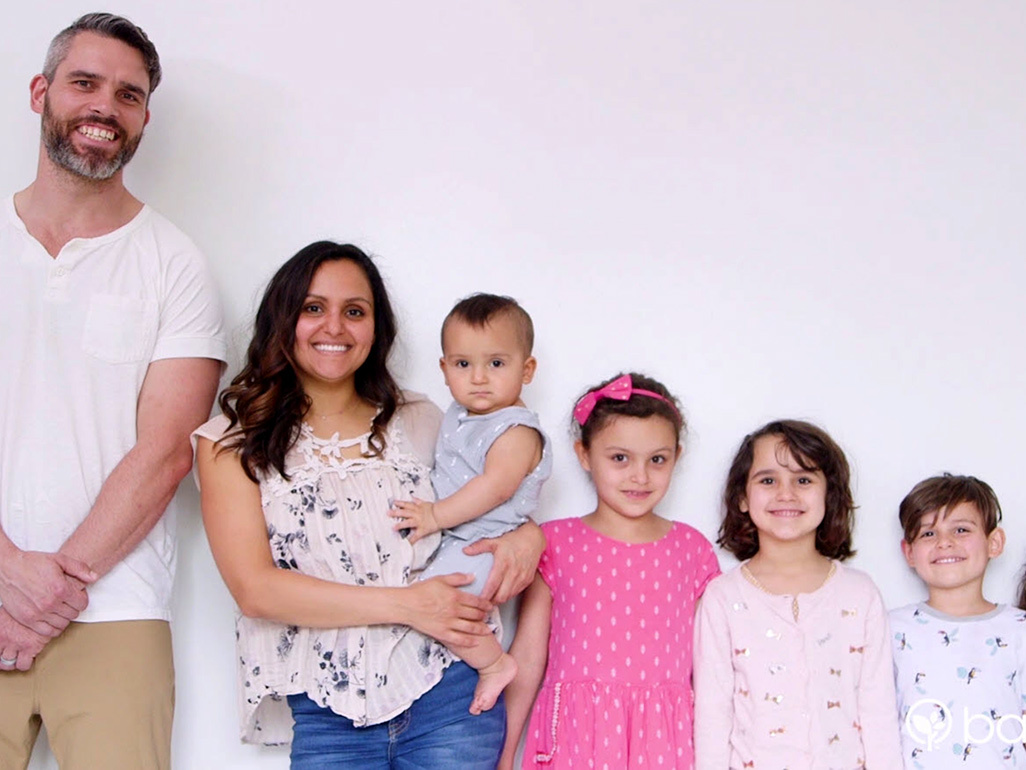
point(785, 503)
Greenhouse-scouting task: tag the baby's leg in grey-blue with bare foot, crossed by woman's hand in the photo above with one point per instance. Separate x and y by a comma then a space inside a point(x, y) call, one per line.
point(495, 668)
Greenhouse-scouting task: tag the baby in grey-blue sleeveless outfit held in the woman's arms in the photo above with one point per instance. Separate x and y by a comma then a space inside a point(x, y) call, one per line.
point(491, 459)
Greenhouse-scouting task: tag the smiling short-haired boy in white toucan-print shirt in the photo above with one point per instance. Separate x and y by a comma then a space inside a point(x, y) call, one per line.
point(959, 659)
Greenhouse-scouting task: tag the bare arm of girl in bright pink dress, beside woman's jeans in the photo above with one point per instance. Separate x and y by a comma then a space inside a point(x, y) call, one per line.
point(531, 650)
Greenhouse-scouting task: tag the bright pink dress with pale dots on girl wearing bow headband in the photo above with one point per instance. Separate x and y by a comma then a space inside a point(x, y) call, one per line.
point(618, 688)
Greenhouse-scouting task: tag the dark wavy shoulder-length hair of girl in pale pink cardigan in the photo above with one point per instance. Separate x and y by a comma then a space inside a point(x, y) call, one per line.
point(813, 449)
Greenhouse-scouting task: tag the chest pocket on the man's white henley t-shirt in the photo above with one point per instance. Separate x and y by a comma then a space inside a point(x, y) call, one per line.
point(121, 329)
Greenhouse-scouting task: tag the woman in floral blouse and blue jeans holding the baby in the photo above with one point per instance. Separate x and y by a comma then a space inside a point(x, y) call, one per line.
point(297, 479)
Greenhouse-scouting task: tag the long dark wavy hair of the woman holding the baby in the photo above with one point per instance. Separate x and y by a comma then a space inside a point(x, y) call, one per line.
point(265, 404)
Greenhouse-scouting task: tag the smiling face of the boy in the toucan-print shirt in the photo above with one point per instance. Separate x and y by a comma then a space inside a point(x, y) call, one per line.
point(953, 549)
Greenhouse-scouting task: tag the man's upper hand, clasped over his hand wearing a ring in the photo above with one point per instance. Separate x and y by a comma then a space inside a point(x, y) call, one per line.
point(45, 592)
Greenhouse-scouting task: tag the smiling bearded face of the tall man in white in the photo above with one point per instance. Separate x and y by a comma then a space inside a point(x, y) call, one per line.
point(95, 110)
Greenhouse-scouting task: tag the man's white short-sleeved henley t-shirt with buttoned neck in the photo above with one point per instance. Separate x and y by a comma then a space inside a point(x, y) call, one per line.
point(80, 333)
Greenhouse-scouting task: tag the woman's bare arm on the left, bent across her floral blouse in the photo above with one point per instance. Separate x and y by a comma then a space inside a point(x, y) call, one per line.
point(238, 531)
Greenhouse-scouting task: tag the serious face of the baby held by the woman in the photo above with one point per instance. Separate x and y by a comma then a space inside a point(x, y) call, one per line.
point(486, 368)
